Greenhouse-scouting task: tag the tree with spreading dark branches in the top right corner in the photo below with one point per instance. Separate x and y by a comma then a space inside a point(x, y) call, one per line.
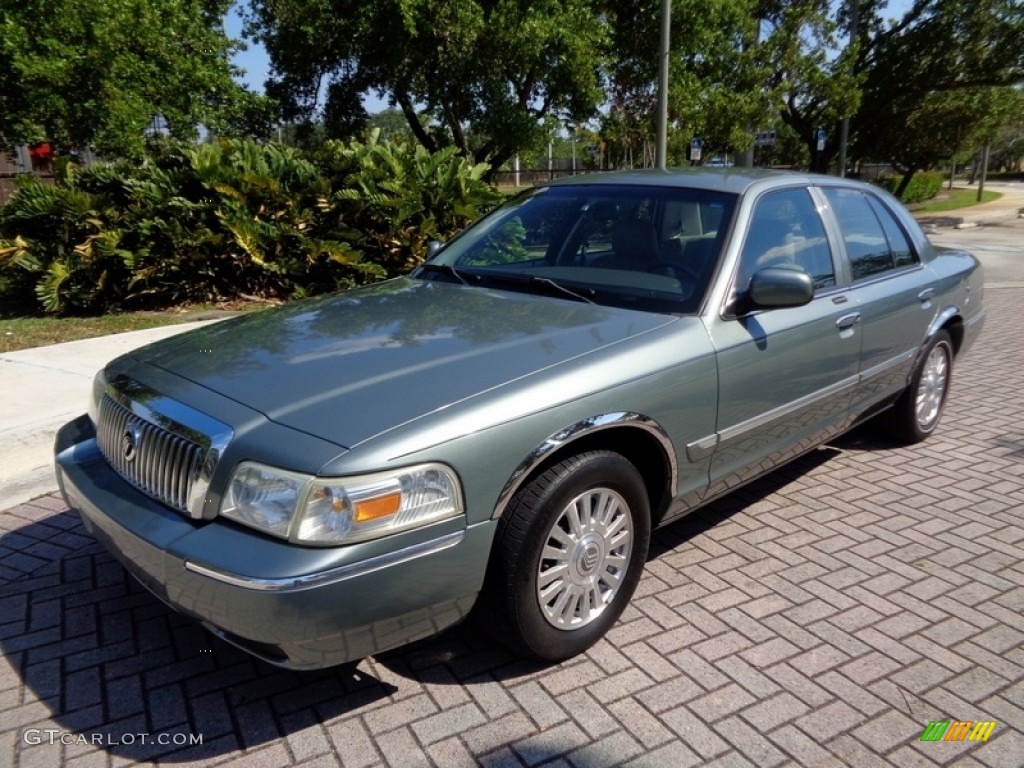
point(893, 65)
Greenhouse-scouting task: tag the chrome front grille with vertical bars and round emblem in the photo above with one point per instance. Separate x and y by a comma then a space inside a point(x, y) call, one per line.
point(153, 459)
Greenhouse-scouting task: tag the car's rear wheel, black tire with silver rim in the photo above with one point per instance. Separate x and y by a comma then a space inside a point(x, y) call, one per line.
point(917, 413)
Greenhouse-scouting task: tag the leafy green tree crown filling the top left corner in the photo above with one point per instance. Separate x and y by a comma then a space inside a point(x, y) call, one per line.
point(84, 73)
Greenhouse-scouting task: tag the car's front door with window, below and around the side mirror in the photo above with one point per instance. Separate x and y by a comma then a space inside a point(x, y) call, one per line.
point(787, 376)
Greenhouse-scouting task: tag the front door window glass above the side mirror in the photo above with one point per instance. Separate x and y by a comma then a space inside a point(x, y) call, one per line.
point(786, 231)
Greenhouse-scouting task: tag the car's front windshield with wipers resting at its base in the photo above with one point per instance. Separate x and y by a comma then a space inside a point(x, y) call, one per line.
point(648, 248)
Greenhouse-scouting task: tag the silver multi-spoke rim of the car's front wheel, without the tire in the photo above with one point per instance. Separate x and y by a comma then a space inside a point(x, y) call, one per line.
point(585, 559)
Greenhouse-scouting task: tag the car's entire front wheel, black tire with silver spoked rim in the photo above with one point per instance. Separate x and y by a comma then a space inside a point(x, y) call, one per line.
point(570, 551)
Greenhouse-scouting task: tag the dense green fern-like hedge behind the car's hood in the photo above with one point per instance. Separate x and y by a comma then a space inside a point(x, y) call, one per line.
point(229, 220)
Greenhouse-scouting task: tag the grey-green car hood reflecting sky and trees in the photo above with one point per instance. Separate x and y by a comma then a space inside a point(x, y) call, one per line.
point(349, 367)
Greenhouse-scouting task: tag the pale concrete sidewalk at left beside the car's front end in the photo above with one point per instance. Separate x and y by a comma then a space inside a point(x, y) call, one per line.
point(44, 389)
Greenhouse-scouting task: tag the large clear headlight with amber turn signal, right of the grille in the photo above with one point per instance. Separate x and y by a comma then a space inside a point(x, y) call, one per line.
point(344, 510)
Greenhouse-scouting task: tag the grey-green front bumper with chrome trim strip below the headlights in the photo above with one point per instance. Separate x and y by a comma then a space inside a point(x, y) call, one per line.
point(293, 607)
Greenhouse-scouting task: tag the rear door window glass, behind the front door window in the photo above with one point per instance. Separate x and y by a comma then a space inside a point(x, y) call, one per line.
point(875, 242)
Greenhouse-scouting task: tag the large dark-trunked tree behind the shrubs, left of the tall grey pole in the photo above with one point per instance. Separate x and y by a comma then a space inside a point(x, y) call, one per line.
point(478, 75)
